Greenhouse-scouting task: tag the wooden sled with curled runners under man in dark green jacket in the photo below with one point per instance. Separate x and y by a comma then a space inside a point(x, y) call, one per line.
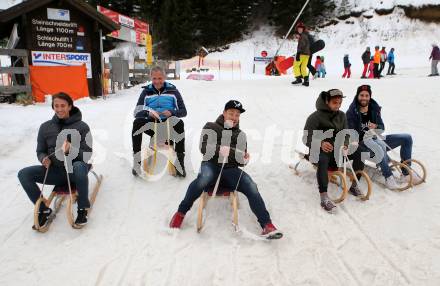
point(339, 178)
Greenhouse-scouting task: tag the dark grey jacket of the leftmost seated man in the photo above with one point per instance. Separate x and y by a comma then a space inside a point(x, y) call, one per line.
point(49, 131)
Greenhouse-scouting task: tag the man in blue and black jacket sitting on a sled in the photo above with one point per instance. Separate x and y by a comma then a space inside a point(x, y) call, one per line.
point(159, 101)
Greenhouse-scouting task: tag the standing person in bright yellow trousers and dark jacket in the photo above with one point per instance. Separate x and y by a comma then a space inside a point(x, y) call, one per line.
point(302, 56)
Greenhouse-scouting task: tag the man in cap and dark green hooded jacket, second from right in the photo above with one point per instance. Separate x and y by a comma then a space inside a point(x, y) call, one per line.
point(322, 152)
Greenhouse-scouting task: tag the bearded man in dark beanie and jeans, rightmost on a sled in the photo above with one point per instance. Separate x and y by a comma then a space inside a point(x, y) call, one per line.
point(364, 116)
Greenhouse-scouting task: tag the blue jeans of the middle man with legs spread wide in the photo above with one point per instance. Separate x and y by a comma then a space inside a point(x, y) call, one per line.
point(207, 177)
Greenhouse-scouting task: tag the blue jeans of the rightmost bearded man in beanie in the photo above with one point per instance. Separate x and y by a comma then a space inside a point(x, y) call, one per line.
point(393, 141)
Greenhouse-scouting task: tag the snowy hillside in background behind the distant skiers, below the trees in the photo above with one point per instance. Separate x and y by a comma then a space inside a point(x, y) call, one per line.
point(412, 40)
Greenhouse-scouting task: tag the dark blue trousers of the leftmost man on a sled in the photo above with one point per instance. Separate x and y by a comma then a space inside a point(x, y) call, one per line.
point(30, 176)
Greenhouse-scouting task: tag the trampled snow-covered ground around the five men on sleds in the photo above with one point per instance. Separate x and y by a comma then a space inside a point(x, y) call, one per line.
point(392, 239)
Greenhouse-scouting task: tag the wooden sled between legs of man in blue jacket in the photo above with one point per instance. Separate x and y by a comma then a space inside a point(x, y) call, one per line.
point(150, 160)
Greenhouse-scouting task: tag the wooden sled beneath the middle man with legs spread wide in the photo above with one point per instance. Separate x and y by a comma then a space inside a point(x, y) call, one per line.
point(221, 193)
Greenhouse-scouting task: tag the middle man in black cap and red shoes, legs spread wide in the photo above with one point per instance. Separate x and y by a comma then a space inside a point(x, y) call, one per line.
point(223, 143)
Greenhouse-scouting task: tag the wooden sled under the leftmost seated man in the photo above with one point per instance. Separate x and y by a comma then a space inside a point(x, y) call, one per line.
point(58, 195)
